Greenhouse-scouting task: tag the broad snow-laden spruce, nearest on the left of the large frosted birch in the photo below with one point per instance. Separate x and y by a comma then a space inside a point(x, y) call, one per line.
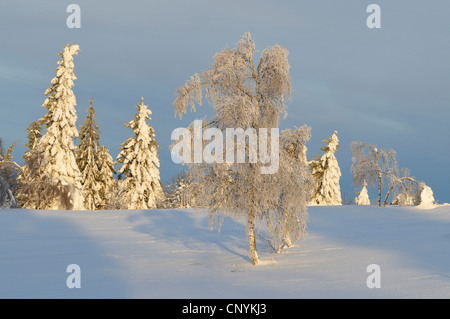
point(140, 163)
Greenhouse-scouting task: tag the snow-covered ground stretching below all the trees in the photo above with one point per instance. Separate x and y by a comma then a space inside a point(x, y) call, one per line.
point(173, 254)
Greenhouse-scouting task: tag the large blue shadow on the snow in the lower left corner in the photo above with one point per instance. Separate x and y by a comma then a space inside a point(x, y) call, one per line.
point(35, 251)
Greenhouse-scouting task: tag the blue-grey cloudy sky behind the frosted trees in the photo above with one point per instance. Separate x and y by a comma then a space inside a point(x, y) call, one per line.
point(388, 86)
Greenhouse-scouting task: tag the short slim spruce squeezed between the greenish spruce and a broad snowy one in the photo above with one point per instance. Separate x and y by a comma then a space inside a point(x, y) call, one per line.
point(105, 176)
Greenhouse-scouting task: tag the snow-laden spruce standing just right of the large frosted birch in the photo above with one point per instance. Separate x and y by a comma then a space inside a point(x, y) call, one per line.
point(327, 174)
